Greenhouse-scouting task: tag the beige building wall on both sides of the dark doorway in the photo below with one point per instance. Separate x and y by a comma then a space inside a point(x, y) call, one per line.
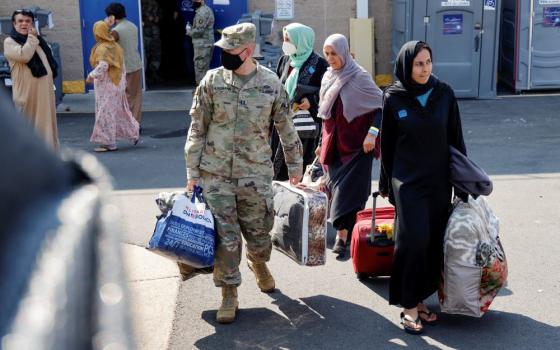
point(324, 16)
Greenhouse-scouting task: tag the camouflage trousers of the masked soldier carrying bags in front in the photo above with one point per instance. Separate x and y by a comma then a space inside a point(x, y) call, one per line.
point(240, 207)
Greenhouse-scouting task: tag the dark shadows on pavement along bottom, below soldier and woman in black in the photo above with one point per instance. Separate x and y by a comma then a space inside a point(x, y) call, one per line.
point(323, 322)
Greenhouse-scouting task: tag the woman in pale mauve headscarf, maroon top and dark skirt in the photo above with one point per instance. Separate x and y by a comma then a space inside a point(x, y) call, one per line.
point(350, 106)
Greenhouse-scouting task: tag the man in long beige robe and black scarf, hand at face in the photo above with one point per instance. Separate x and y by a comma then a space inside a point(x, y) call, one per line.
point(33, 70)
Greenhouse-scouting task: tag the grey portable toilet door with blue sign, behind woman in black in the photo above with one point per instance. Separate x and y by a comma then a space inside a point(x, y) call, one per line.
point(454, 30)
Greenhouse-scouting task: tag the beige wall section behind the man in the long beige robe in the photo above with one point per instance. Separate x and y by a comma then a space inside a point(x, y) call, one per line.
point(66, 31)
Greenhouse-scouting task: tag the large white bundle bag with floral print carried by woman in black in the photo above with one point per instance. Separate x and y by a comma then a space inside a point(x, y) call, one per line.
point(475, 266)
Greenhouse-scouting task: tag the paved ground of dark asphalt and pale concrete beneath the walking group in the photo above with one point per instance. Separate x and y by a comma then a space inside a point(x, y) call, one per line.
point(515, 139)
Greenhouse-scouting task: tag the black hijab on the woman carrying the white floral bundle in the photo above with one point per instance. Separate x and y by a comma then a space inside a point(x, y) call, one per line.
point(403, 70)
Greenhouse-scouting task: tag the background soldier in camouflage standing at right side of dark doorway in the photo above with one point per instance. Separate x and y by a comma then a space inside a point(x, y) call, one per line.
point(202, 34)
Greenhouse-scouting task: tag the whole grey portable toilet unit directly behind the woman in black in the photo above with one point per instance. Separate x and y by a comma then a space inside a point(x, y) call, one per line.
point(463, 36)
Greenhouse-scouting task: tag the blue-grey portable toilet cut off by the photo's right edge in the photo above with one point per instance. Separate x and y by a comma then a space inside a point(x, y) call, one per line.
point(530, 44)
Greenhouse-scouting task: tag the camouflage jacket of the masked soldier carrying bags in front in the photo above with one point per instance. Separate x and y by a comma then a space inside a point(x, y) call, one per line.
point(229, 132)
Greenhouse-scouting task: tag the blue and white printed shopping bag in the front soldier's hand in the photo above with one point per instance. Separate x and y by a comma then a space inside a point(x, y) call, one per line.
point(186, 234)
